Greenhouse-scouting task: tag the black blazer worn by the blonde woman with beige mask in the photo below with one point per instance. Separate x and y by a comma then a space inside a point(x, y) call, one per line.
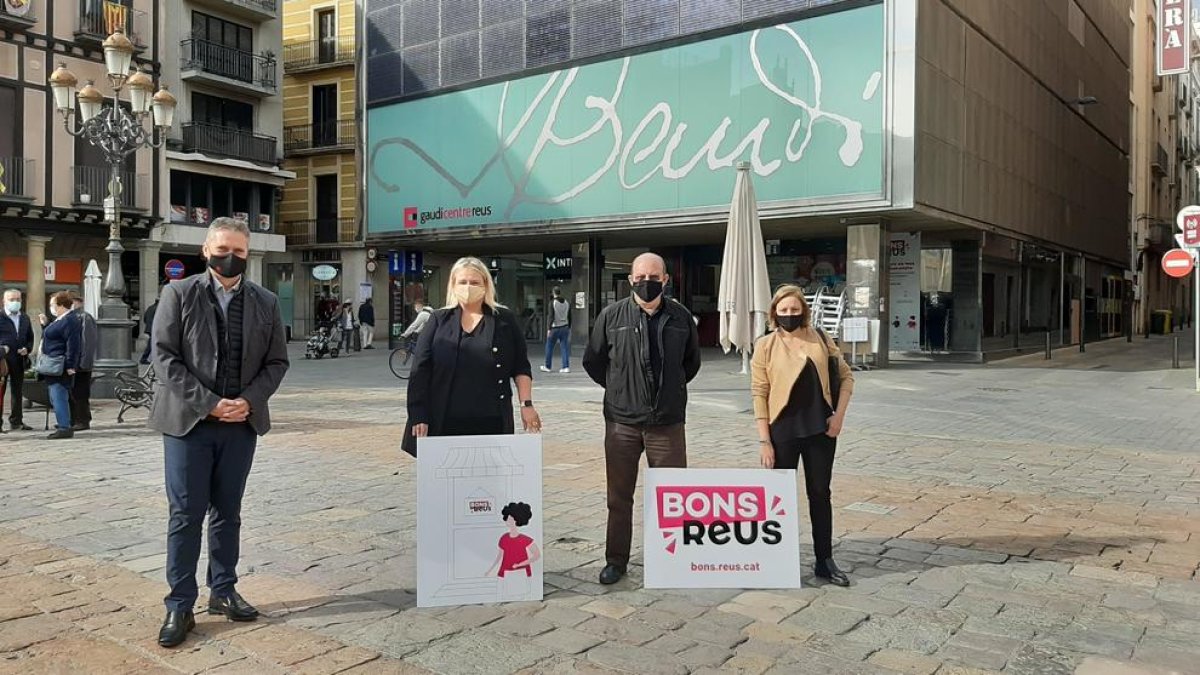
point(436, 357)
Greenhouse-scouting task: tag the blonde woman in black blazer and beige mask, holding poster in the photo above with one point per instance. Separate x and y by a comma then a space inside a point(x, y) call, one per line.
point(467, 359)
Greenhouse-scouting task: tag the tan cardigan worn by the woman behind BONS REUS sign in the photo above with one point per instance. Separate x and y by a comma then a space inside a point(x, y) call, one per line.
point(773, 371)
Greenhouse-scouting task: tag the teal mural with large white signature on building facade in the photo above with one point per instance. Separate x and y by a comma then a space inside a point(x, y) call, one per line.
point(802, 103)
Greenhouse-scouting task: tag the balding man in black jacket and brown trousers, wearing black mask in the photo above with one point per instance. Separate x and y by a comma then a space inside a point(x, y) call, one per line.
point(644, 353)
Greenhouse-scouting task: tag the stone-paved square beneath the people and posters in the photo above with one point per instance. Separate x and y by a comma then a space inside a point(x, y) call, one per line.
point(1027, 517)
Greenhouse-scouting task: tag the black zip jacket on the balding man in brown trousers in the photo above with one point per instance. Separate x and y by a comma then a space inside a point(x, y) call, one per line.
point(619, 359)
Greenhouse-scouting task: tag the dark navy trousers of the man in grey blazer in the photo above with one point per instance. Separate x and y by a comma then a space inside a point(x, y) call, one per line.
point(207, 475)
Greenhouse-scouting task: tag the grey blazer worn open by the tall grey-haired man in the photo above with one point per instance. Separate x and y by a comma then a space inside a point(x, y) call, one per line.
point(185, 355)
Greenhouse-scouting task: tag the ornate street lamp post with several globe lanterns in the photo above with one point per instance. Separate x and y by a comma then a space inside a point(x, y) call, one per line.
point(117, 134)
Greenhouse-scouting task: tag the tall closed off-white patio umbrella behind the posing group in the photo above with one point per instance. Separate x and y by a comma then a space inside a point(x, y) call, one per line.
point(745, 296)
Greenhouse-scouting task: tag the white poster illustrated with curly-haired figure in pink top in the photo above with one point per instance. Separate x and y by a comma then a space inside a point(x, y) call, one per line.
point(478, 519)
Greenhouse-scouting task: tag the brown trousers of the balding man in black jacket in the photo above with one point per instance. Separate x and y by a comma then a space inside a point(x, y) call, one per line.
point(665, 447)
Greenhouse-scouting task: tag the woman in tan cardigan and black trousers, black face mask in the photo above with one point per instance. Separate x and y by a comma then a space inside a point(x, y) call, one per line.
point(799, 421)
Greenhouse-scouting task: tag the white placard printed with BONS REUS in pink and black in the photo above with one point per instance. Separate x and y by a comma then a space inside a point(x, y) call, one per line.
point(722, 529)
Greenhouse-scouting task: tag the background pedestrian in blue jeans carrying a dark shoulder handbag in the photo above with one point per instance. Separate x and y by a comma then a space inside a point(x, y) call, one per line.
point(59, 360)
